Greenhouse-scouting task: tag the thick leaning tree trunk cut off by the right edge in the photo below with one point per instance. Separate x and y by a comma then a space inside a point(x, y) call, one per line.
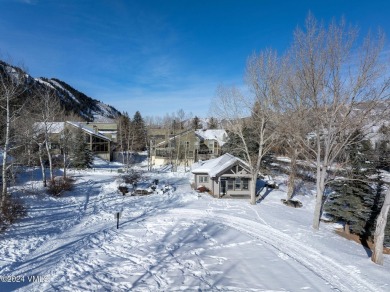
point(379, 235)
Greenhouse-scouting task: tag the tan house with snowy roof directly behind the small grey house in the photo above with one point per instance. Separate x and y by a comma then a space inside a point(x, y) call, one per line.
point(185, 147)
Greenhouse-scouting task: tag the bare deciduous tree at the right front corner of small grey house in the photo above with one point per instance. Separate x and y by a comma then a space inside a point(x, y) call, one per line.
point(257, 111)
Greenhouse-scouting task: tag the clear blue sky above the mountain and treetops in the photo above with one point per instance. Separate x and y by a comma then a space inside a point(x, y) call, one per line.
point(159, 56)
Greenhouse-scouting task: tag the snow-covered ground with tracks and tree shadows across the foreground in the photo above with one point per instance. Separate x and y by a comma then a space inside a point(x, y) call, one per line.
point(175, 241)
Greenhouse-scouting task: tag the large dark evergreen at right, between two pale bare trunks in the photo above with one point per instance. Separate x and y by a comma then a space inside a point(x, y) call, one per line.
point(352, 198)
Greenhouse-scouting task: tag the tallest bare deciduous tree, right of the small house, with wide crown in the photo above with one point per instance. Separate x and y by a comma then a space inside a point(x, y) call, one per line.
point(339, 87)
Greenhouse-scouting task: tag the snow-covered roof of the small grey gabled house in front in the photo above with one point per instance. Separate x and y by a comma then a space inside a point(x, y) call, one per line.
point(215, 166)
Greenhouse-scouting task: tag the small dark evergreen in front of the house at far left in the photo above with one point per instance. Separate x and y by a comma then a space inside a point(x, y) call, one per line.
point(81, 155)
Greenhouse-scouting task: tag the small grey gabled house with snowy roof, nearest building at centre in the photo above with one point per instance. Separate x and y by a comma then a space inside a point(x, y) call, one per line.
point(225, 176)
